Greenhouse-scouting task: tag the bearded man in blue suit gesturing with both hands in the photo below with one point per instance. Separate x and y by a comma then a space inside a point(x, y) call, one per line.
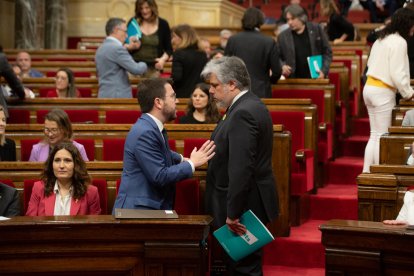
point(151, 169)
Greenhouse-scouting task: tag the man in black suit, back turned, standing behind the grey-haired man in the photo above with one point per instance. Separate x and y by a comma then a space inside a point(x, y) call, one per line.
point(258, 51)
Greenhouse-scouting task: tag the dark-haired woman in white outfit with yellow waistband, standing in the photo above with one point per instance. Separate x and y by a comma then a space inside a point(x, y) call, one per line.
point(388, 72)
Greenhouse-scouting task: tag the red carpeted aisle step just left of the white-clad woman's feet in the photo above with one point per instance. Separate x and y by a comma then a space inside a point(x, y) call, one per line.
point(344, 170)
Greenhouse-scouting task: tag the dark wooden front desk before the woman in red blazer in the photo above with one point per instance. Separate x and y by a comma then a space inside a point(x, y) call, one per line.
point(102, 245)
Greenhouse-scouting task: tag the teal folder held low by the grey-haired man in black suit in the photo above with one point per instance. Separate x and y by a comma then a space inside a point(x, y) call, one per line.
point(240, 246)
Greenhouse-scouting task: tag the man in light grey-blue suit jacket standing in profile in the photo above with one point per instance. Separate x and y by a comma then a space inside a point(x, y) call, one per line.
point(113, 62)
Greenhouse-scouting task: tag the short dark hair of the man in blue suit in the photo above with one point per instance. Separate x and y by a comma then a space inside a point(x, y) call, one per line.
point(148, 91)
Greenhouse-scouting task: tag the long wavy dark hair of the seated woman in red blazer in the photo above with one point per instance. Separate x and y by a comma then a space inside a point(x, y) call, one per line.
point(80, 177)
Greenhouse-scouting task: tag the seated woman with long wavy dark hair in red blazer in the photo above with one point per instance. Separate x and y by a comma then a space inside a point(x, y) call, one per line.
point(65, 186)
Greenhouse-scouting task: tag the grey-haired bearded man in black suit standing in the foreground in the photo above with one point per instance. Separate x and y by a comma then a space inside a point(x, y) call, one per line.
point(240, 176)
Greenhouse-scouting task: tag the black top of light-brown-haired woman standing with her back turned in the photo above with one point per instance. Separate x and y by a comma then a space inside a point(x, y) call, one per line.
point(186, 68)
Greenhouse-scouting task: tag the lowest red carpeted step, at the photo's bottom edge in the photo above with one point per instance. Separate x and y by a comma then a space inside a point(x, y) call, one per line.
point(277, 270)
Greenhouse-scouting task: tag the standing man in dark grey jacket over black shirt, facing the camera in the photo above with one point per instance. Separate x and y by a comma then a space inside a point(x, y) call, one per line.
point(301, 40)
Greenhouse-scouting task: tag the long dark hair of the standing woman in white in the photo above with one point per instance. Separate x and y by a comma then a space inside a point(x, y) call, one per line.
point(401, 22)
